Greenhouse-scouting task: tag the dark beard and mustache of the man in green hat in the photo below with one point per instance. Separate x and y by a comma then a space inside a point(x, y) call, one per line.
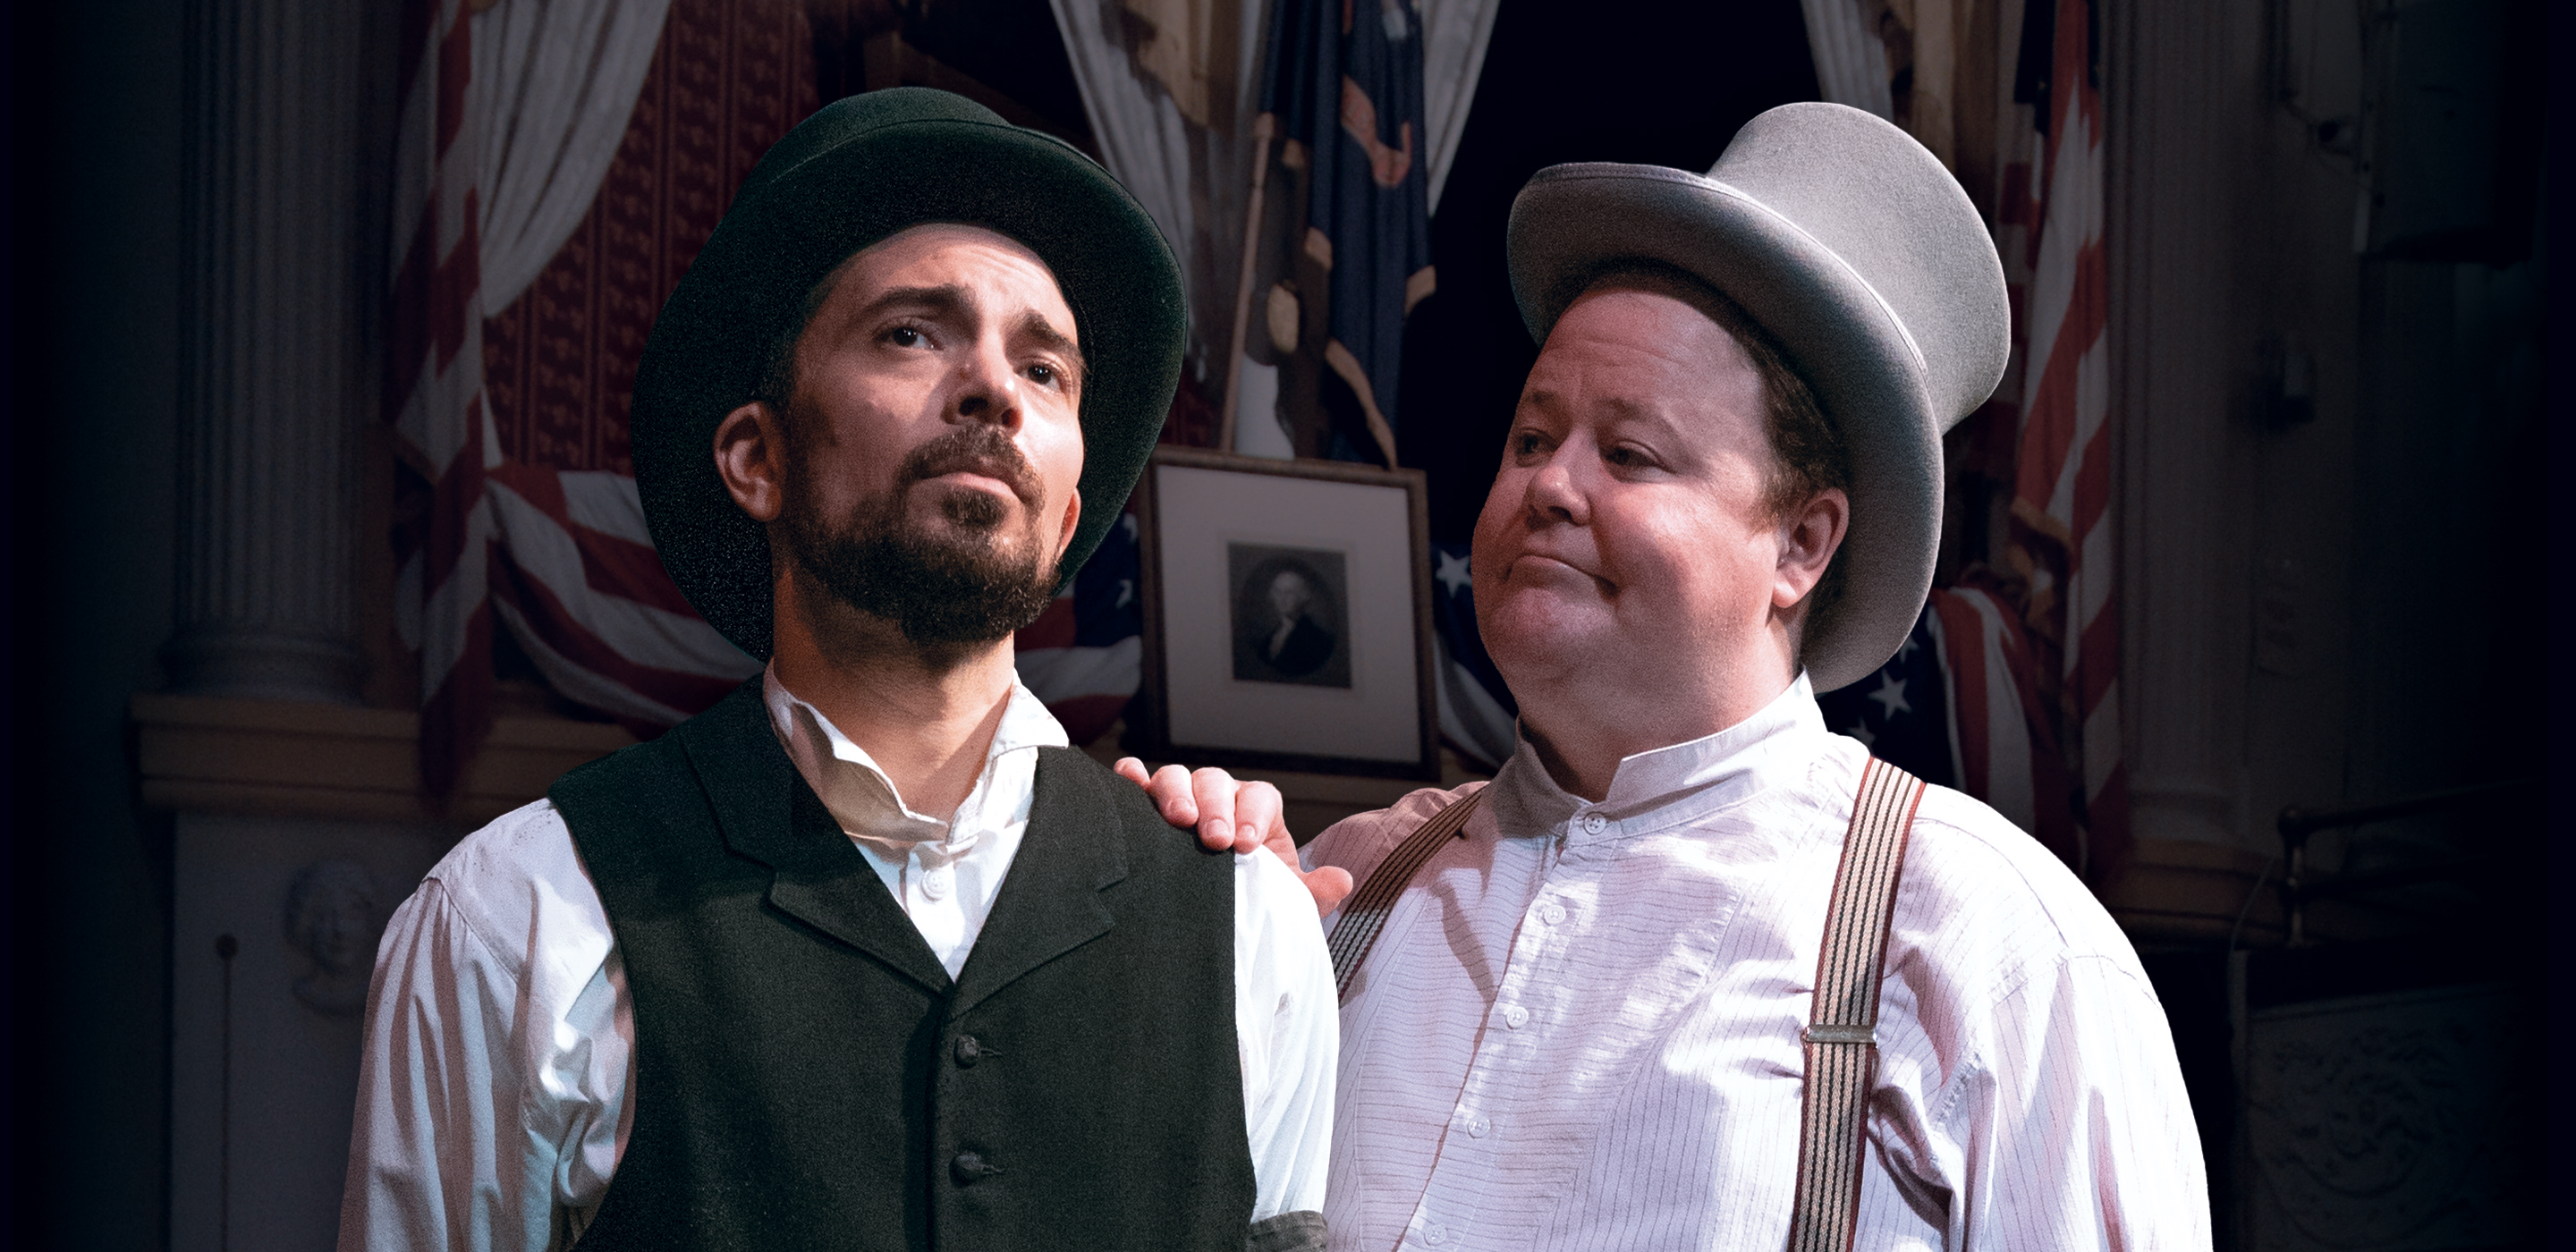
point(939, 589)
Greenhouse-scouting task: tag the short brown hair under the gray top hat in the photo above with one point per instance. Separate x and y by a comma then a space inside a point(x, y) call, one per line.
point(1807, 447)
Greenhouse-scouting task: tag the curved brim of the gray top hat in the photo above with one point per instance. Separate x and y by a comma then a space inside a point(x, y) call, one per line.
point(1835, 331)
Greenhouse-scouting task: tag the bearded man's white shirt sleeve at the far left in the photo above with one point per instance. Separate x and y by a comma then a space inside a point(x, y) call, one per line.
point(496, 1078)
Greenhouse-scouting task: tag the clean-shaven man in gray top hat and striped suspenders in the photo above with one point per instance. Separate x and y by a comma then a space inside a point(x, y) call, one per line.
point(1627, 1003)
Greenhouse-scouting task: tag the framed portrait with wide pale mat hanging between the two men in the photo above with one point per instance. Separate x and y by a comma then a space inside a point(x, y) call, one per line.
point(1287, 617)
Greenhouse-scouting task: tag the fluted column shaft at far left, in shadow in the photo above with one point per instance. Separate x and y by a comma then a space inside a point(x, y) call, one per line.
point(274, 385)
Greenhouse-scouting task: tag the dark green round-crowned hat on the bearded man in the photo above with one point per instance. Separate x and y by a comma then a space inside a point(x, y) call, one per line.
point(854, 174)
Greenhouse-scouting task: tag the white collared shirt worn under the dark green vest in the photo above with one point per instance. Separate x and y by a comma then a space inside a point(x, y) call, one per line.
point(498, 1078)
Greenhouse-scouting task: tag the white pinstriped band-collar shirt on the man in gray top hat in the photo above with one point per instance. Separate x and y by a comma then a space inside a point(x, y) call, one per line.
point(1580, 1027)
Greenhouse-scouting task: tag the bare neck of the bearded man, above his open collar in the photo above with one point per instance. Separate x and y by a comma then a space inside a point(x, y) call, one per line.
point(926, 715)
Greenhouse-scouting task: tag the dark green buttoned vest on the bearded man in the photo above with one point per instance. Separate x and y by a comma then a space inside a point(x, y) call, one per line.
point(808, 1076)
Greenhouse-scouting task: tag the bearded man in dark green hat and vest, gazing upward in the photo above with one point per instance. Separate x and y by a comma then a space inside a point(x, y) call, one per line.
point(867, 957)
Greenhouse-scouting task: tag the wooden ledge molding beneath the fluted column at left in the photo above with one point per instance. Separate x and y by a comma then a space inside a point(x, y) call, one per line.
point(277, 759)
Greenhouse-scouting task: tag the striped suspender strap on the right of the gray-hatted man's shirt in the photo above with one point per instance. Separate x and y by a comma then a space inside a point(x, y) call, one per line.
point(1843, 1029)
